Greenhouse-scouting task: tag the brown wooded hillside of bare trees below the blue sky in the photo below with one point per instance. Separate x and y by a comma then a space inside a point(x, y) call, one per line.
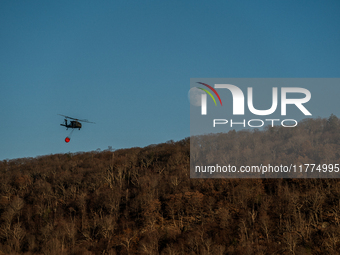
point(142, 200)
